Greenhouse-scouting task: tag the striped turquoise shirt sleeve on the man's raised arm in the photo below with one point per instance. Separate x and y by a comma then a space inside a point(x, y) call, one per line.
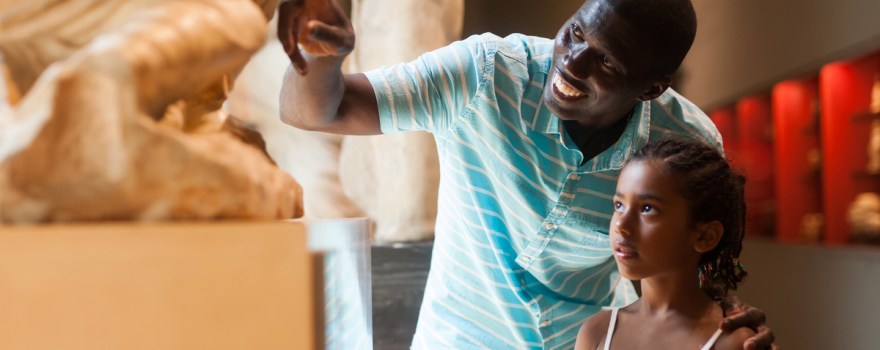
point(430, 92)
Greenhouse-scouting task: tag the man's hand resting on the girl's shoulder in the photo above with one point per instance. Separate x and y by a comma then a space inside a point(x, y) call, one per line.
point(739, 315)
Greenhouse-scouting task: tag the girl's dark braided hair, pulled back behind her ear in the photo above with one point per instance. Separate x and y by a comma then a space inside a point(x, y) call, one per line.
point(714, 192)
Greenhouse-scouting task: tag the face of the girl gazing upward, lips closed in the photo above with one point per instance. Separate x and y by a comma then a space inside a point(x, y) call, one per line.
point(651, 232)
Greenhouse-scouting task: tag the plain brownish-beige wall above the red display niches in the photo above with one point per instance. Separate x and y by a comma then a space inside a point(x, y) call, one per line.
point(745, 46)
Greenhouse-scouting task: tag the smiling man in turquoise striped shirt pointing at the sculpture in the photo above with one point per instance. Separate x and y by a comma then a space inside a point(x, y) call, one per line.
point(531, 134)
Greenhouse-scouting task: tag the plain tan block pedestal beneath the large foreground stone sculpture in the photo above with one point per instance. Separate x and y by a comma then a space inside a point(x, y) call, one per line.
point(218, 285)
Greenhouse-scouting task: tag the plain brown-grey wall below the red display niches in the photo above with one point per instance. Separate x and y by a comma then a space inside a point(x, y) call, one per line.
point(815, 297)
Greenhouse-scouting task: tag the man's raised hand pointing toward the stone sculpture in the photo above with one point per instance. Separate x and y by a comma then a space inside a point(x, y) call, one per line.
point(318, 27)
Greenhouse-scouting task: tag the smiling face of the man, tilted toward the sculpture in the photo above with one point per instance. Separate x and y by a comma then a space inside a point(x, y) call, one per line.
point(601, 67)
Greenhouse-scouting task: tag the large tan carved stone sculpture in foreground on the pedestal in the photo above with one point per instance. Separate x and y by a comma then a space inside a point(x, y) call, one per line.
point(110, 110)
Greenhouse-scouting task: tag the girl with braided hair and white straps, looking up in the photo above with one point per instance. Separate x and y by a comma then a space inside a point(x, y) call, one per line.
point(678, 227)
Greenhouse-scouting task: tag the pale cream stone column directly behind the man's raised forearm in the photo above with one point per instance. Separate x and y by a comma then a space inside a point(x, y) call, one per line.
point(394, 178)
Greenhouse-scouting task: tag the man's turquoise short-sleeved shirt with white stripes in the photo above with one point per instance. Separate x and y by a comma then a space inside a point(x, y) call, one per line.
point(521, 254)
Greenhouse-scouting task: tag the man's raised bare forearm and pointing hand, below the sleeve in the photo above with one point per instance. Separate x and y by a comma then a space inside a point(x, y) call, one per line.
point(315, 95)
